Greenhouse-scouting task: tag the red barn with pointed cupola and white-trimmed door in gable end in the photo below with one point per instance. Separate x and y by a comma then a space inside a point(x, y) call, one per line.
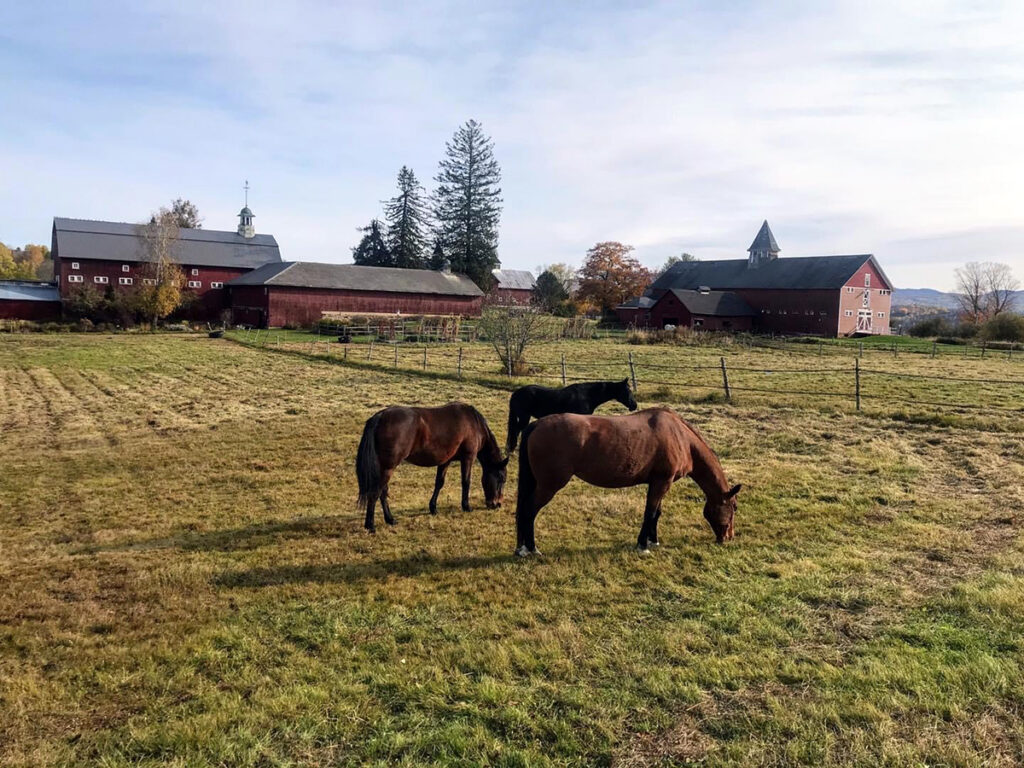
point(818, 295)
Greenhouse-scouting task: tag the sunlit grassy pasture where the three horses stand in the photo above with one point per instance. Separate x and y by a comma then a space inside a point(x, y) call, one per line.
point(185, 581)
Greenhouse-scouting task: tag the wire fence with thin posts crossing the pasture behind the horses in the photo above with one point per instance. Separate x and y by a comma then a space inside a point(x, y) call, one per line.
point(851, 382)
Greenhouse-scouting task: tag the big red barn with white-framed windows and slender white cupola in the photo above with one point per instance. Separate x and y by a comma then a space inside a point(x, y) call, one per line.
point(111, 255)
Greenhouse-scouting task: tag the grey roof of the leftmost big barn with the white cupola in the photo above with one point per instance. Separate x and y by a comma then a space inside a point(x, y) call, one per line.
point(118, 241)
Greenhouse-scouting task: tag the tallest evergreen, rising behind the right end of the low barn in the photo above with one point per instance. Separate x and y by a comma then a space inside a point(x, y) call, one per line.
point(468, 204)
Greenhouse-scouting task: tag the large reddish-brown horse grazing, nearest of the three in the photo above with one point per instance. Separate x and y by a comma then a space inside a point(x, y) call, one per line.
point(654, 447)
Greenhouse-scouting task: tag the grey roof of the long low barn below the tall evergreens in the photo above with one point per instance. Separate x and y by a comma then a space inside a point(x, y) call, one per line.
point(357, 278)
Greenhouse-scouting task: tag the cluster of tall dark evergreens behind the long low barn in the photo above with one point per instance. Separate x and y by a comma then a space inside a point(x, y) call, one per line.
point(455, 228)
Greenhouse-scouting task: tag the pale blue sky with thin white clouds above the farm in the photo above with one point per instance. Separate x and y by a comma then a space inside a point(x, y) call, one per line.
point(886, 127)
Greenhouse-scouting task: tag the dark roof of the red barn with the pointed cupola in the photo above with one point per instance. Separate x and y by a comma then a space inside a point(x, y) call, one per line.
point(807, 273)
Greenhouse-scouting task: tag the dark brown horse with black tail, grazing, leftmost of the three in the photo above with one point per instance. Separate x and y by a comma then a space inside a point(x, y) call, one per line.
point(428, 438)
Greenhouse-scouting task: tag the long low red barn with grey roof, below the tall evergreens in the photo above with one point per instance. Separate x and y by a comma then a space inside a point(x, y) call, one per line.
point(298, 292)
